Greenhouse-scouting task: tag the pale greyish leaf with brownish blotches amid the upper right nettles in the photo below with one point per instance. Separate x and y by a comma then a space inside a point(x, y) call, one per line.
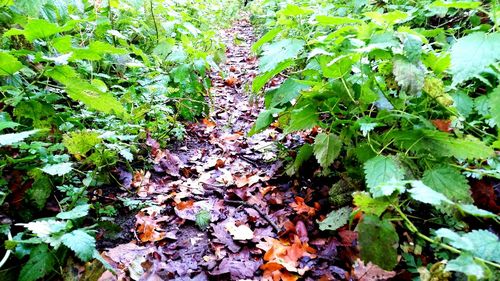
point(410, 76)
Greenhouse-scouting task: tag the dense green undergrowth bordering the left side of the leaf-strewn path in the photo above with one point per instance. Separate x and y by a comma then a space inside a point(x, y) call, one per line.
point(81, 84)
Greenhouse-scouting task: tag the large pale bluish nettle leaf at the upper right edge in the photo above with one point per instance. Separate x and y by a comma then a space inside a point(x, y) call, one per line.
point(473, 54)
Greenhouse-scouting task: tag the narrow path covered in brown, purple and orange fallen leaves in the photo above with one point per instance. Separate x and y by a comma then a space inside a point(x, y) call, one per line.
point(218, 206)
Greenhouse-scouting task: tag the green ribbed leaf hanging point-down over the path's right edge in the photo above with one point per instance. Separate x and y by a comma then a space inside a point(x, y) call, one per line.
point(326, 148)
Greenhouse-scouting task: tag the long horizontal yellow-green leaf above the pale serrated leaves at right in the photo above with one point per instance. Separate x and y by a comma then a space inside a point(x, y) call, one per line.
point(442, 144)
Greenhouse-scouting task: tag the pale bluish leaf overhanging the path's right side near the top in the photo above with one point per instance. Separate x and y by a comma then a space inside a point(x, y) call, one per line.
point(275, 53)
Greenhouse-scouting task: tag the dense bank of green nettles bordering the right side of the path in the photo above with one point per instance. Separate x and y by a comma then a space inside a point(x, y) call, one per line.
point(409, 93)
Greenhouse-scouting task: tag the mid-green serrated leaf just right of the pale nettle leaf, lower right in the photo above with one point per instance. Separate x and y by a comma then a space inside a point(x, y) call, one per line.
point(448, 181)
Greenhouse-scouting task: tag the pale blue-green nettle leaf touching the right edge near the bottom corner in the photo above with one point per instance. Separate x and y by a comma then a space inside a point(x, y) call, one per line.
point(480, 243)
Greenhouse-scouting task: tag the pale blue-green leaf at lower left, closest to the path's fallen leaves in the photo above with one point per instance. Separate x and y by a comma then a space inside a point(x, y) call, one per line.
point(81, 243)
